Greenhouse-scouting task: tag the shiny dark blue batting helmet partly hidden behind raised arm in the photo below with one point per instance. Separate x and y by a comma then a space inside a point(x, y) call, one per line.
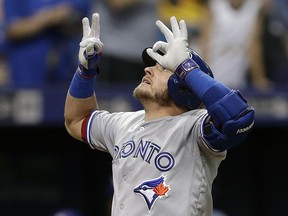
point(178, 90)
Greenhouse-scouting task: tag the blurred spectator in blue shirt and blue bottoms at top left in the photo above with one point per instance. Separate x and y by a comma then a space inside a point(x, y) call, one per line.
point(40, 39)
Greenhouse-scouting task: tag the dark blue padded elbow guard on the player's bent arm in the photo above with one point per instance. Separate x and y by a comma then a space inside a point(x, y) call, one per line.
point(236, 120)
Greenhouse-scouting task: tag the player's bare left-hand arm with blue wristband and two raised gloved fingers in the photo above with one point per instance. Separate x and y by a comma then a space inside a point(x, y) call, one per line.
point(81, 99)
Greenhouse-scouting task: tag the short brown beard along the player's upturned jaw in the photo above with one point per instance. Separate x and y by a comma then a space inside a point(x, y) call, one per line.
point(161, 96)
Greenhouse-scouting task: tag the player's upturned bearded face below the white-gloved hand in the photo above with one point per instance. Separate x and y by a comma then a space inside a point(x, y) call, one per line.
point(153, 87)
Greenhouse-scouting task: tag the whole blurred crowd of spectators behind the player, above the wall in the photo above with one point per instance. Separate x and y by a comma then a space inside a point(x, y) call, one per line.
point(245, 42)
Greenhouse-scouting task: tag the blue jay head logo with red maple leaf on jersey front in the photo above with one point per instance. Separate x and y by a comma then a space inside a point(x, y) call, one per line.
point(151, 190)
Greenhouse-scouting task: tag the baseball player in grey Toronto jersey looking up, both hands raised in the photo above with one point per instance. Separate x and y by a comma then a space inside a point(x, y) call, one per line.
point(164, 157)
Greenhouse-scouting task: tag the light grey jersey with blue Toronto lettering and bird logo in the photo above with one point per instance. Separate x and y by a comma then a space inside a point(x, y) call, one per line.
point(161, 167)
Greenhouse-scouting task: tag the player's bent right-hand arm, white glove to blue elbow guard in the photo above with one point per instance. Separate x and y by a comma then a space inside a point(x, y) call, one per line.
point(231, 118)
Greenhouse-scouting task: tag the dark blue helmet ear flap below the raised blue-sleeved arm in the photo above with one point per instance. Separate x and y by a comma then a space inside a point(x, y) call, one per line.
point(181, 94)
